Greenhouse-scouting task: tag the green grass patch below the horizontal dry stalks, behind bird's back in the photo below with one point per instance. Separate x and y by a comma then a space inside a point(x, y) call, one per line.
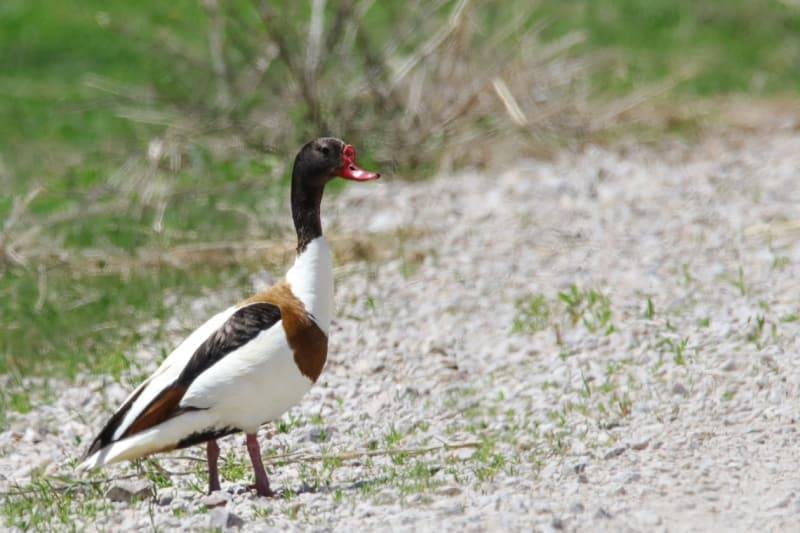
point(80, 320)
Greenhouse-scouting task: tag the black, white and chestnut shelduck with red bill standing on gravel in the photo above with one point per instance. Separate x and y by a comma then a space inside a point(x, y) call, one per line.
point(250, 363)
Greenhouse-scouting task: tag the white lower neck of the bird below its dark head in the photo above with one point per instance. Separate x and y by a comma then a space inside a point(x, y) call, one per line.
point(311, 280)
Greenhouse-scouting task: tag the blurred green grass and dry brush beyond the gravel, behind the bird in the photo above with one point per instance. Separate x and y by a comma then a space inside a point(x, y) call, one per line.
point(144, 146)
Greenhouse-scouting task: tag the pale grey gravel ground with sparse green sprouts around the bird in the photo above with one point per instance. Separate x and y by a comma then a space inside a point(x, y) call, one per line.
point(606, 341)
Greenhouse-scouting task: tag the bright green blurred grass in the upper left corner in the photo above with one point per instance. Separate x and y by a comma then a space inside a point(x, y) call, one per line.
point(51, 119)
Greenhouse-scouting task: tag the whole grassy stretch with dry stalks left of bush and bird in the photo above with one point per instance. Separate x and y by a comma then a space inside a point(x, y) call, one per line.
point(100, 196)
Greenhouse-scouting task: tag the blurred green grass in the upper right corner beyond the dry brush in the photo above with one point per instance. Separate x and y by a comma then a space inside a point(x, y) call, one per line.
point(731, 46)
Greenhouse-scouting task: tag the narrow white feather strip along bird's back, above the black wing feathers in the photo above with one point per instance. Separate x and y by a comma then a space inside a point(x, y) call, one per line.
point(171, 368)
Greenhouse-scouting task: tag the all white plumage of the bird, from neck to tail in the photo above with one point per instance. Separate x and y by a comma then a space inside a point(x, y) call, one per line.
point(256, 383)
